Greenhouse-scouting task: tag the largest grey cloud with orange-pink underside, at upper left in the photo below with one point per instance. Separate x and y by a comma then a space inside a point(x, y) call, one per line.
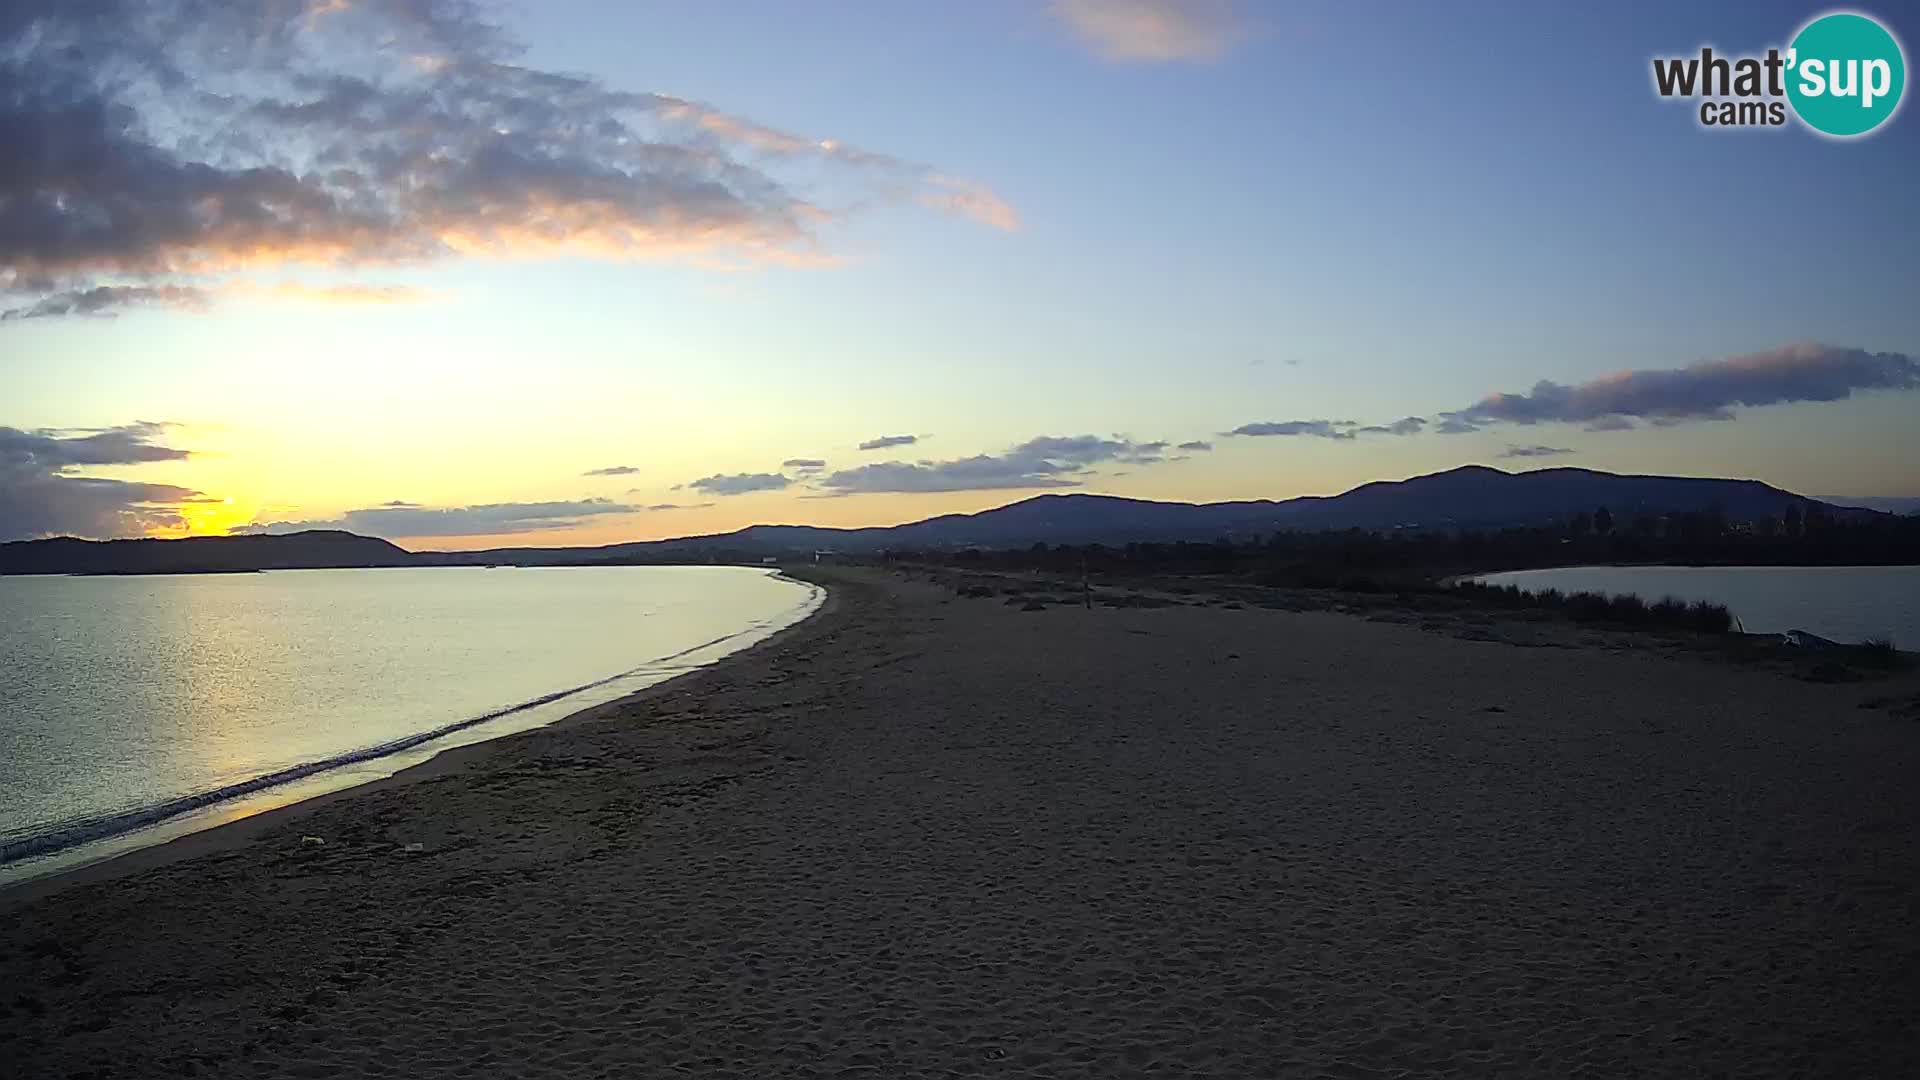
point(174, 143)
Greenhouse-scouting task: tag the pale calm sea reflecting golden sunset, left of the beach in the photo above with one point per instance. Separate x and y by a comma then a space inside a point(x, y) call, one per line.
point(139, 708)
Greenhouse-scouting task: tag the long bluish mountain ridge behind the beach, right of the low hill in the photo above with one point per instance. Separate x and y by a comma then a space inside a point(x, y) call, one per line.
point(1472, 497)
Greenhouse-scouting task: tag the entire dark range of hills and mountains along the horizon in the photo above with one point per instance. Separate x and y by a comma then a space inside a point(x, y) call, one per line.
point(1472, 497)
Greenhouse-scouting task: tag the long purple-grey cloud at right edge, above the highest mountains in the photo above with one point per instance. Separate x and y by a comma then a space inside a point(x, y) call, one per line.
point(1704, 391)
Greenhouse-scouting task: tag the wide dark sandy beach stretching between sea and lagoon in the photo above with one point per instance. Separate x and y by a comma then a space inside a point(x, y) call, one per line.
point(944, 837)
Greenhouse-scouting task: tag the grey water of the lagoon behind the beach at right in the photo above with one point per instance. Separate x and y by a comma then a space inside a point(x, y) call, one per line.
point(1846, 604)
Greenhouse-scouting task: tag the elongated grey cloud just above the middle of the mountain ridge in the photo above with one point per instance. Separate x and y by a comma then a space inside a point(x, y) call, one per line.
point(1044, 462)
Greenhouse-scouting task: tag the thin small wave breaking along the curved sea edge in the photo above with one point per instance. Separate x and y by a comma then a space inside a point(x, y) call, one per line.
point(101, 827)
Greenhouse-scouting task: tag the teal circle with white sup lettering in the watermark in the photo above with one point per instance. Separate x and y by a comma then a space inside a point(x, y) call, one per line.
point(1846, 74)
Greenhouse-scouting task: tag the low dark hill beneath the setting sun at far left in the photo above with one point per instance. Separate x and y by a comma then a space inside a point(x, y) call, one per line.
point(199, 554)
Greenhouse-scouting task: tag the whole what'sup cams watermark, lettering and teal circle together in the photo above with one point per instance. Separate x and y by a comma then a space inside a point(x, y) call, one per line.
point(1842, 76)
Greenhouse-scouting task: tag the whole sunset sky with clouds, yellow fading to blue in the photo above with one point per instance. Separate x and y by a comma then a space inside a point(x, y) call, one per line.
point(588, 272)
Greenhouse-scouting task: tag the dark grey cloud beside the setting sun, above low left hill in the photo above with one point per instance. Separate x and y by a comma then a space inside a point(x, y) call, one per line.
point(41, 495)
